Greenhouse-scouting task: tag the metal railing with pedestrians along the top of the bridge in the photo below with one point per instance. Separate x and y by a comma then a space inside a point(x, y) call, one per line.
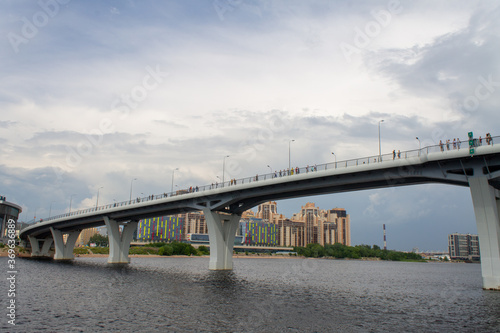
point(395, 155)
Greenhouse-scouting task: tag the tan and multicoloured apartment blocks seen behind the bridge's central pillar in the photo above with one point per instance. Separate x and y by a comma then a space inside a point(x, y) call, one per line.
point(310, 225)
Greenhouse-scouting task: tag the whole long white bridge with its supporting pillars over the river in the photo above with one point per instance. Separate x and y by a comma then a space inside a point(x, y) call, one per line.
point(223, 203)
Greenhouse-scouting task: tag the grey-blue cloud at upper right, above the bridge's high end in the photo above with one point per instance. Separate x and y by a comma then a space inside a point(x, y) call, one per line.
point(459, 67)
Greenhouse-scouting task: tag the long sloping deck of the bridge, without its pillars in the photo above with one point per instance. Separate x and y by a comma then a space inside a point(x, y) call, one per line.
point(429, 164)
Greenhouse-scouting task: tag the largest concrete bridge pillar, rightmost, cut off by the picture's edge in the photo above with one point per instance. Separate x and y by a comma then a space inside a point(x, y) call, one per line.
point(487, 211)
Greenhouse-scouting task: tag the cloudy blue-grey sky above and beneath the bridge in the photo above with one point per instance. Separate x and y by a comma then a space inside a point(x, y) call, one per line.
point(95, 94)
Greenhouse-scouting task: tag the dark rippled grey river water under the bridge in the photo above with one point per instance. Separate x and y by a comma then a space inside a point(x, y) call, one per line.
point(259, 295)
